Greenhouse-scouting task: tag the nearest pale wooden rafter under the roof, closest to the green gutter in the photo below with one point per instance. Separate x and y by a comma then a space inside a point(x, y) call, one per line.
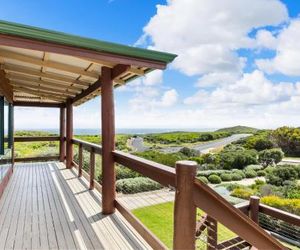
point(54, 65)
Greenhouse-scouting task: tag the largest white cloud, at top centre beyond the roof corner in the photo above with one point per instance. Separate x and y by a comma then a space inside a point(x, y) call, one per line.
point(206, 33)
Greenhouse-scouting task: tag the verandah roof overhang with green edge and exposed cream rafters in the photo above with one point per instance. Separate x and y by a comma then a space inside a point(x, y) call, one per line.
point(42, 66)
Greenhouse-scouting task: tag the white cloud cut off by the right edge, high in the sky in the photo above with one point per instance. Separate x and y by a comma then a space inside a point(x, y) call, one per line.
point(287, 56)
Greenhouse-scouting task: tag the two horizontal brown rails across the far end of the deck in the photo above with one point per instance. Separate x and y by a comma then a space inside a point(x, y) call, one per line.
point(37, 139)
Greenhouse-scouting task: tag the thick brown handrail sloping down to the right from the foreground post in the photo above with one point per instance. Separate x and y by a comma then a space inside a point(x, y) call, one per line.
point(216, 206)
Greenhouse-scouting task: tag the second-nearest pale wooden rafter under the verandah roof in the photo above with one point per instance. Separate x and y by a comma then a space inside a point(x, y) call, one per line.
point(30, 71)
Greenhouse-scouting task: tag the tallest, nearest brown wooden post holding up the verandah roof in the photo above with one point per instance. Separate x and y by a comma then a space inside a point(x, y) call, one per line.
point(108, 142)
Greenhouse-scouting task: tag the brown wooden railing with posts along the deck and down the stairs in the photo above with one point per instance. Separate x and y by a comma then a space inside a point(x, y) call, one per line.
point(190, 194)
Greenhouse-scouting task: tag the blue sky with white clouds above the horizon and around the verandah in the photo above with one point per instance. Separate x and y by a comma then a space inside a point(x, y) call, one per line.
point(238, 61)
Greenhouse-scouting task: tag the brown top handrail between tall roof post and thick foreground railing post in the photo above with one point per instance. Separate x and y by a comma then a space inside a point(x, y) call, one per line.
point(155, 171)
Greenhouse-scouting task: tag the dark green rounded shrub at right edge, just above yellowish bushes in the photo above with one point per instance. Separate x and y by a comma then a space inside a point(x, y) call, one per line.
point(282, 173)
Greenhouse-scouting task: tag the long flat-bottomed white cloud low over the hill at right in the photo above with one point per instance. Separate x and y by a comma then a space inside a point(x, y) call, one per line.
point(252, 89)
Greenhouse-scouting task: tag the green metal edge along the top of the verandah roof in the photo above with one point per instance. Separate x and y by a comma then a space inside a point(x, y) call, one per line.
point(26, 31)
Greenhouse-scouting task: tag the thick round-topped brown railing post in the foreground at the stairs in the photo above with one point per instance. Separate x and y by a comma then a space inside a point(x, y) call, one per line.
point(184, 208)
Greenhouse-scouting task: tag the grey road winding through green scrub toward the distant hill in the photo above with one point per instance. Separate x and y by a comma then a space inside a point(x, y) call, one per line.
point(206, 146)
